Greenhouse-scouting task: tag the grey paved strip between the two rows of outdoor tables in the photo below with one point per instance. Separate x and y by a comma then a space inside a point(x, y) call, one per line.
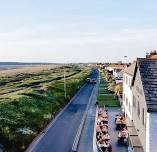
point(114, 134)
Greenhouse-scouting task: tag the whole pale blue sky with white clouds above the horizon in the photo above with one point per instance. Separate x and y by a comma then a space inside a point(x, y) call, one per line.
point(77, 30)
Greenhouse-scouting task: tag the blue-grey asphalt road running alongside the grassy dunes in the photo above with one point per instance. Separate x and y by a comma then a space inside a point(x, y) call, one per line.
point(60, 136)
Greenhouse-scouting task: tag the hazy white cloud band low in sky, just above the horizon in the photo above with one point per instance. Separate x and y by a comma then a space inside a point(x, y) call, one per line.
point(71, 45)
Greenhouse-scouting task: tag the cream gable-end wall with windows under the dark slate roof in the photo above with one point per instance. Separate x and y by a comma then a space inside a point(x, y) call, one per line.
point(138, 94)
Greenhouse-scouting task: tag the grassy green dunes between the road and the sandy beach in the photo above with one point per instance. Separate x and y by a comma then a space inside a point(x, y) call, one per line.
point(28, 102)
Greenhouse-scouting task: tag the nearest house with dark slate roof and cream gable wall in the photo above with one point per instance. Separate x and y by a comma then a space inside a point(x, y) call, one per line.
point(144, 103)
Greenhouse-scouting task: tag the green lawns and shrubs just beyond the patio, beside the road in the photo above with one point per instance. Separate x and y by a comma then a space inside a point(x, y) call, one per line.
point(106, 96)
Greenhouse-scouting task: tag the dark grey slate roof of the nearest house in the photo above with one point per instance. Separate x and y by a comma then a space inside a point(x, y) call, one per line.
point(148, 72)
